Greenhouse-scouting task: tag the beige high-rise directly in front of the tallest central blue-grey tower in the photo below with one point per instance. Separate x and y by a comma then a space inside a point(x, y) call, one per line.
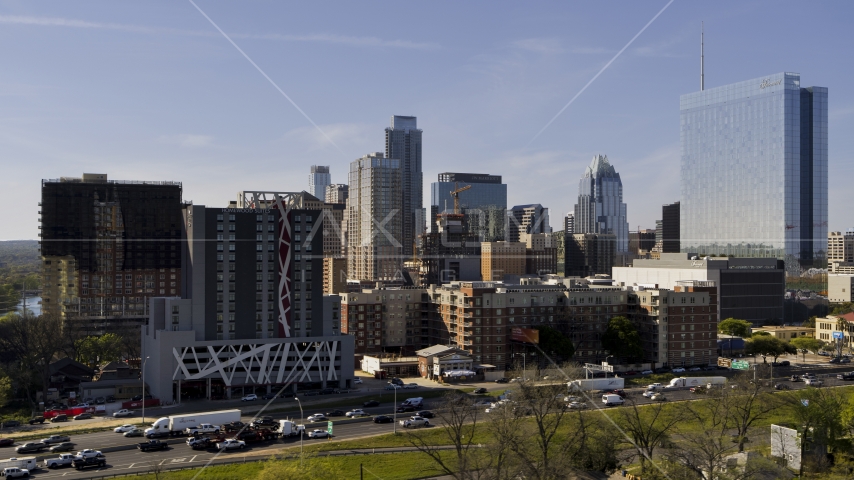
point(375, 240)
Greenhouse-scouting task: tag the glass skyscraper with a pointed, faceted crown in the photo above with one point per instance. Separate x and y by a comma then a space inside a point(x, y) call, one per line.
point(600, 207)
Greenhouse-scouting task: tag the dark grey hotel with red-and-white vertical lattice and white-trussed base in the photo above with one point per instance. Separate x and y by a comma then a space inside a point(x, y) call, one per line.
point(253, 317)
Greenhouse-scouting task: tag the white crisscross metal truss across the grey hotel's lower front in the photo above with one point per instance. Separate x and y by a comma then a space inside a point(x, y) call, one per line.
point(259, 363)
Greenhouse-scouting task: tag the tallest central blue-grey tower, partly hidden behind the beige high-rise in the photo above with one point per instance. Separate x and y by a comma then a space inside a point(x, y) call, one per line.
point(403, 143)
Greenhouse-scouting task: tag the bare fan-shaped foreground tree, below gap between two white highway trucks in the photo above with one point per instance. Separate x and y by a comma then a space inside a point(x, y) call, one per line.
point(647, 426)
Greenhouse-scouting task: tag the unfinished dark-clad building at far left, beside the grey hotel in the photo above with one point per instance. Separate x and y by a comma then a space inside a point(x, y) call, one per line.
point(107, 246)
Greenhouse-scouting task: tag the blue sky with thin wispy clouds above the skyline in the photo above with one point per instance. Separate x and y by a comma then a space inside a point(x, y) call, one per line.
point(150, 90)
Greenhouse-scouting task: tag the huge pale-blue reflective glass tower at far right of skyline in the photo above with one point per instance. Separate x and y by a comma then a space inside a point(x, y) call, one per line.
point(754, 170)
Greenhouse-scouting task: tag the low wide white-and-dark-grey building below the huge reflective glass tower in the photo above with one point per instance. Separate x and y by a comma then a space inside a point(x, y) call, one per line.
point(750, 289)
